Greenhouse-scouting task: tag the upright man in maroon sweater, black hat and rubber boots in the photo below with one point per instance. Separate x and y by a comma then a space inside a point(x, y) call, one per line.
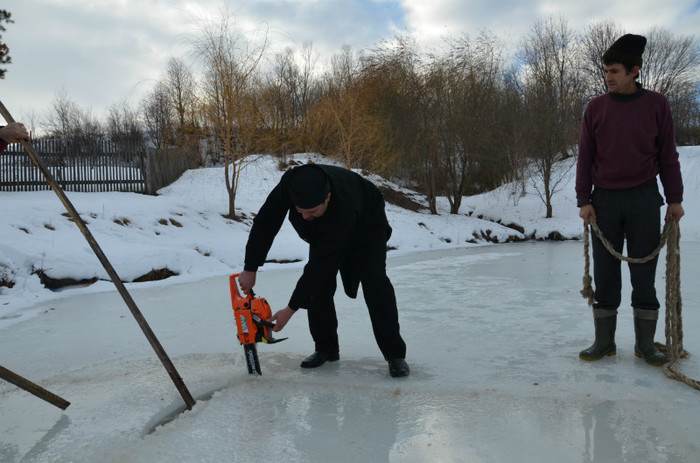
point(627, 140)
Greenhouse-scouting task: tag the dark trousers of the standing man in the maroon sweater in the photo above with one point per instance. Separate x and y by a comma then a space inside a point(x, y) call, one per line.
point(632, 216)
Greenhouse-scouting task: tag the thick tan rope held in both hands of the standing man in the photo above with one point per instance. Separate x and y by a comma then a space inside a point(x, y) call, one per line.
point(674, 323)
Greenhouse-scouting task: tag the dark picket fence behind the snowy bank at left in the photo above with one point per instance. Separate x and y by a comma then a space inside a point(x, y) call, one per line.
point(104, 166)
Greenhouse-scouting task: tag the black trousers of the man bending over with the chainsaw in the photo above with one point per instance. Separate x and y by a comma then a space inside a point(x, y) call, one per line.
point(366, 264)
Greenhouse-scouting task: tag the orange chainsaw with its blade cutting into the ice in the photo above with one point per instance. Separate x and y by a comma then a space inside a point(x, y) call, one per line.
point(251, 314)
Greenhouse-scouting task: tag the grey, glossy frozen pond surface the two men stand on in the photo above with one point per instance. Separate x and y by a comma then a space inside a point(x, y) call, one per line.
point(493, 337)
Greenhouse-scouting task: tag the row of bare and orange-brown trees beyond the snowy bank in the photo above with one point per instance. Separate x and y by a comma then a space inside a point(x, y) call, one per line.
point(455, 120)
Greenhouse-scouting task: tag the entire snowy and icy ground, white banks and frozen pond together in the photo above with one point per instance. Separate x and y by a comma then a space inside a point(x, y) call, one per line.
point(493, 334)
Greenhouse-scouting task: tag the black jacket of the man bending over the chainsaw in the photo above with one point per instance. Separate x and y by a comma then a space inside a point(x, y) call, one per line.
point(354, 216)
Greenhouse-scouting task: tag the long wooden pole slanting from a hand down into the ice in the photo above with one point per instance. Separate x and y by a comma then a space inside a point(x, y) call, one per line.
point(165, 360)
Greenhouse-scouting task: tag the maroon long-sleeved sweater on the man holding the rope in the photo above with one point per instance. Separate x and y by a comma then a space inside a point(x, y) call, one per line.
point(626, 141)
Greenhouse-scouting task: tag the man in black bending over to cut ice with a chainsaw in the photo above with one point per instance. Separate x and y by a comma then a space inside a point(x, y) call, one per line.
point(341, 215)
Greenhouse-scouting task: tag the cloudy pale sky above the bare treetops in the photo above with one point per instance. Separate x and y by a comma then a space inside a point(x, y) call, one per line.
point(103, 52)
